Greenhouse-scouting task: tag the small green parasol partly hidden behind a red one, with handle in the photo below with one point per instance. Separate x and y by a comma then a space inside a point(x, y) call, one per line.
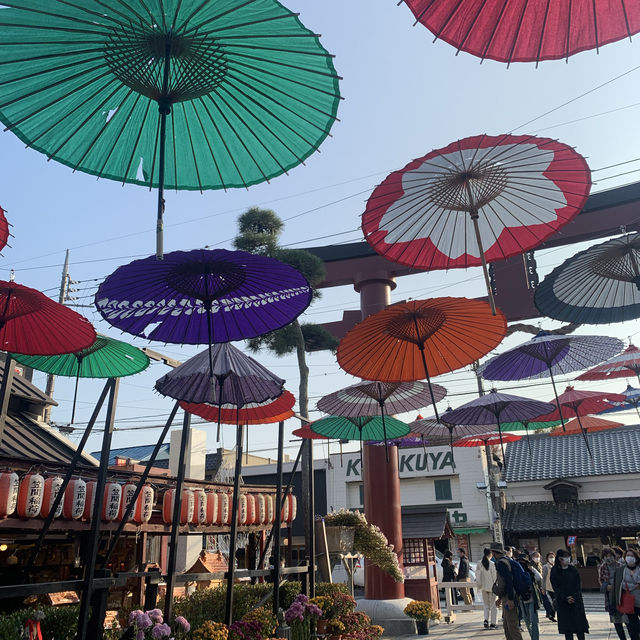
point(105, 358)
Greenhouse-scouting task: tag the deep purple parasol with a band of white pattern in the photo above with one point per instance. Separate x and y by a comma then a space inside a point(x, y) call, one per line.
point(203, 296)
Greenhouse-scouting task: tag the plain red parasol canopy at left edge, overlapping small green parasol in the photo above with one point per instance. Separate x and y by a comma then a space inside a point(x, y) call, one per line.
point(33, 324)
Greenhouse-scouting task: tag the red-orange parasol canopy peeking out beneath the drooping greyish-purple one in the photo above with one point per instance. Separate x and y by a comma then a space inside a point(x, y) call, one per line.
point(255, 413)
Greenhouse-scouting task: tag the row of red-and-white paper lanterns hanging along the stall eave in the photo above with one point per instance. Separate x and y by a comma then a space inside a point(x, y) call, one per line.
point(33, 496)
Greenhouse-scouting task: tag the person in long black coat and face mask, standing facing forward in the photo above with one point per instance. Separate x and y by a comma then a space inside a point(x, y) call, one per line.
point(567, 588)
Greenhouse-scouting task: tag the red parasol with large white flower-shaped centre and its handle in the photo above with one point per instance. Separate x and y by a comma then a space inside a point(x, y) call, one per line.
point(478, 200)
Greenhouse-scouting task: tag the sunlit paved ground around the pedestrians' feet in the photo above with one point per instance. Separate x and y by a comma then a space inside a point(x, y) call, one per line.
point(468, 626)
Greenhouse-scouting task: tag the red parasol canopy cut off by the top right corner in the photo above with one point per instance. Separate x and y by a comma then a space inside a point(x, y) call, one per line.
point(527, 30)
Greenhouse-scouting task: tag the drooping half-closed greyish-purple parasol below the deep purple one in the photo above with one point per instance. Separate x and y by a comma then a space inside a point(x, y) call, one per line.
point(237, 379)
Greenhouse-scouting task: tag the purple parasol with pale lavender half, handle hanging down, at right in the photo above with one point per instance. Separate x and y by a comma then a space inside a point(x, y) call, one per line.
point(548, 355)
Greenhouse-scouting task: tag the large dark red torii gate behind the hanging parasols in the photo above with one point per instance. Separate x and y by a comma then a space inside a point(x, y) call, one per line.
point(606, 213)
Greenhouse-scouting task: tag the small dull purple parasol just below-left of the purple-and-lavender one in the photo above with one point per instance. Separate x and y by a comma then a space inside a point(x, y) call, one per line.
point(497, 408)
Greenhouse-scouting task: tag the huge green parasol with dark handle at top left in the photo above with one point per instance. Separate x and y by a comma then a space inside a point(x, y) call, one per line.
point(178, 93)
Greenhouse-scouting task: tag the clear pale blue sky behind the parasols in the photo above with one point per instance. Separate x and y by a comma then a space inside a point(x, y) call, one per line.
point(404, 96)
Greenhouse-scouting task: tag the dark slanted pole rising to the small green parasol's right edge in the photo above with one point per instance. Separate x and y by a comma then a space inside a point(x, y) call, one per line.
point(94, 534)
